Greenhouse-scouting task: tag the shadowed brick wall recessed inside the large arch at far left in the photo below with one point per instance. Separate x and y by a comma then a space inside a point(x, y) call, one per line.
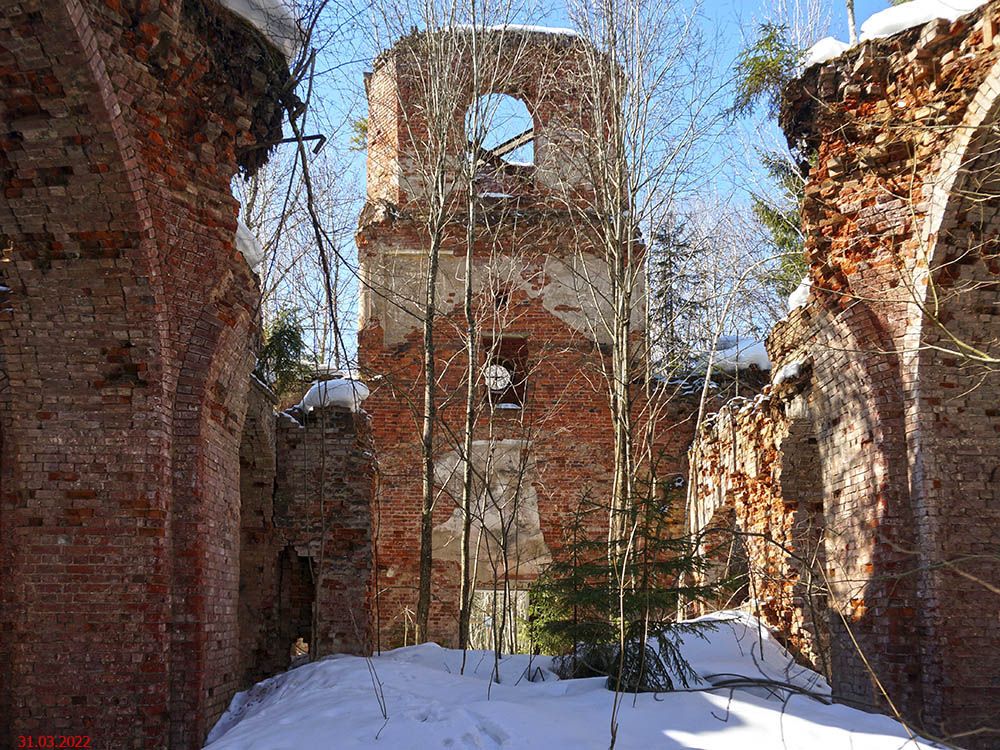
point(80, 347)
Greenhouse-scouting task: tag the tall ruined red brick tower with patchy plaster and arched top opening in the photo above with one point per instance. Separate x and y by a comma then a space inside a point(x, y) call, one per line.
point(543, 443)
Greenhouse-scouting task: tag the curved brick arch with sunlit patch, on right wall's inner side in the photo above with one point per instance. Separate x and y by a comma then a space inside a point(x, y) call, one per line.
point(854, 412)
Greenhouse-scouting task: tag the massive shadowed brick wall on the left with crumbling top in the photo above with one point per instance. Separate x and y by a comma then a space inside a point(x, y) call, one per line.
point(126, 317)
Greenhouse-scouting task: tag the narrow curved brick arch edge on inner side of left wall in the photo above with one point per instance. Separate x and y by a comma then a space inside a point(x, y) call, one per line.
point(208, 411)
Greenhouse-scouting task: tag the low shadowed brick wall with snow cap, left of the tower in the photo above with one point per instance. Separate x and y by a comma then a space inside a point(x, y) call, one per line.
point(306, 486)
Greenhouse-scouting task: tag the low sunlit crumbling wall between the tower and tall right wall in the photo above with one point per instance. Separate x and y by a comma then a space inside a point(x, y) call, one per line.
point(757, 473)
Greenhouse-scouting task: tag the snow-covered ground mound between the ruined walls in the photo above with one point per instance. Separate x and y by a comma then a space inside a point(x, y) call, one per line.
point(333, 704)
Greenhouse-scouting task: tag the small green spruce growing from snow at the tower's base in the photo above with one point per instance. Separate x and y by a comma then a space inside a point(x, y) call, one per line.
point(583, 609)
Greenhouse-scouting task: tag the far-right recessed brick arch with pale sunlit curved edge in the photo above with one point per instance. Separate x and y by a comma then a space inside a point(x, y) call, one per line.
point(952, 418)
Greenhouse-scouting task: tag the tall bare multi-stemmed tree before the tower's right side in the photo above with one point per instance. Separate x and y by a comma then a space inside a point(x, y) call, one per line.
point(651, 87)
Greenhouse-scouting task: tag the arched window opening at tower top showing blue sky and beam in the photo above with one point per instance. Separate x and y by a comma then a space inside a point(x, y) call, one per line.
point(501, 131)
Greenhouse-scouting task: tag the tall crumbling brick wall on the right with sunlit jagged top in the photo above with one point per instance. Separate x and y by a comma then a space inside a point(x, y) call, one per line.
point(899, 218)
